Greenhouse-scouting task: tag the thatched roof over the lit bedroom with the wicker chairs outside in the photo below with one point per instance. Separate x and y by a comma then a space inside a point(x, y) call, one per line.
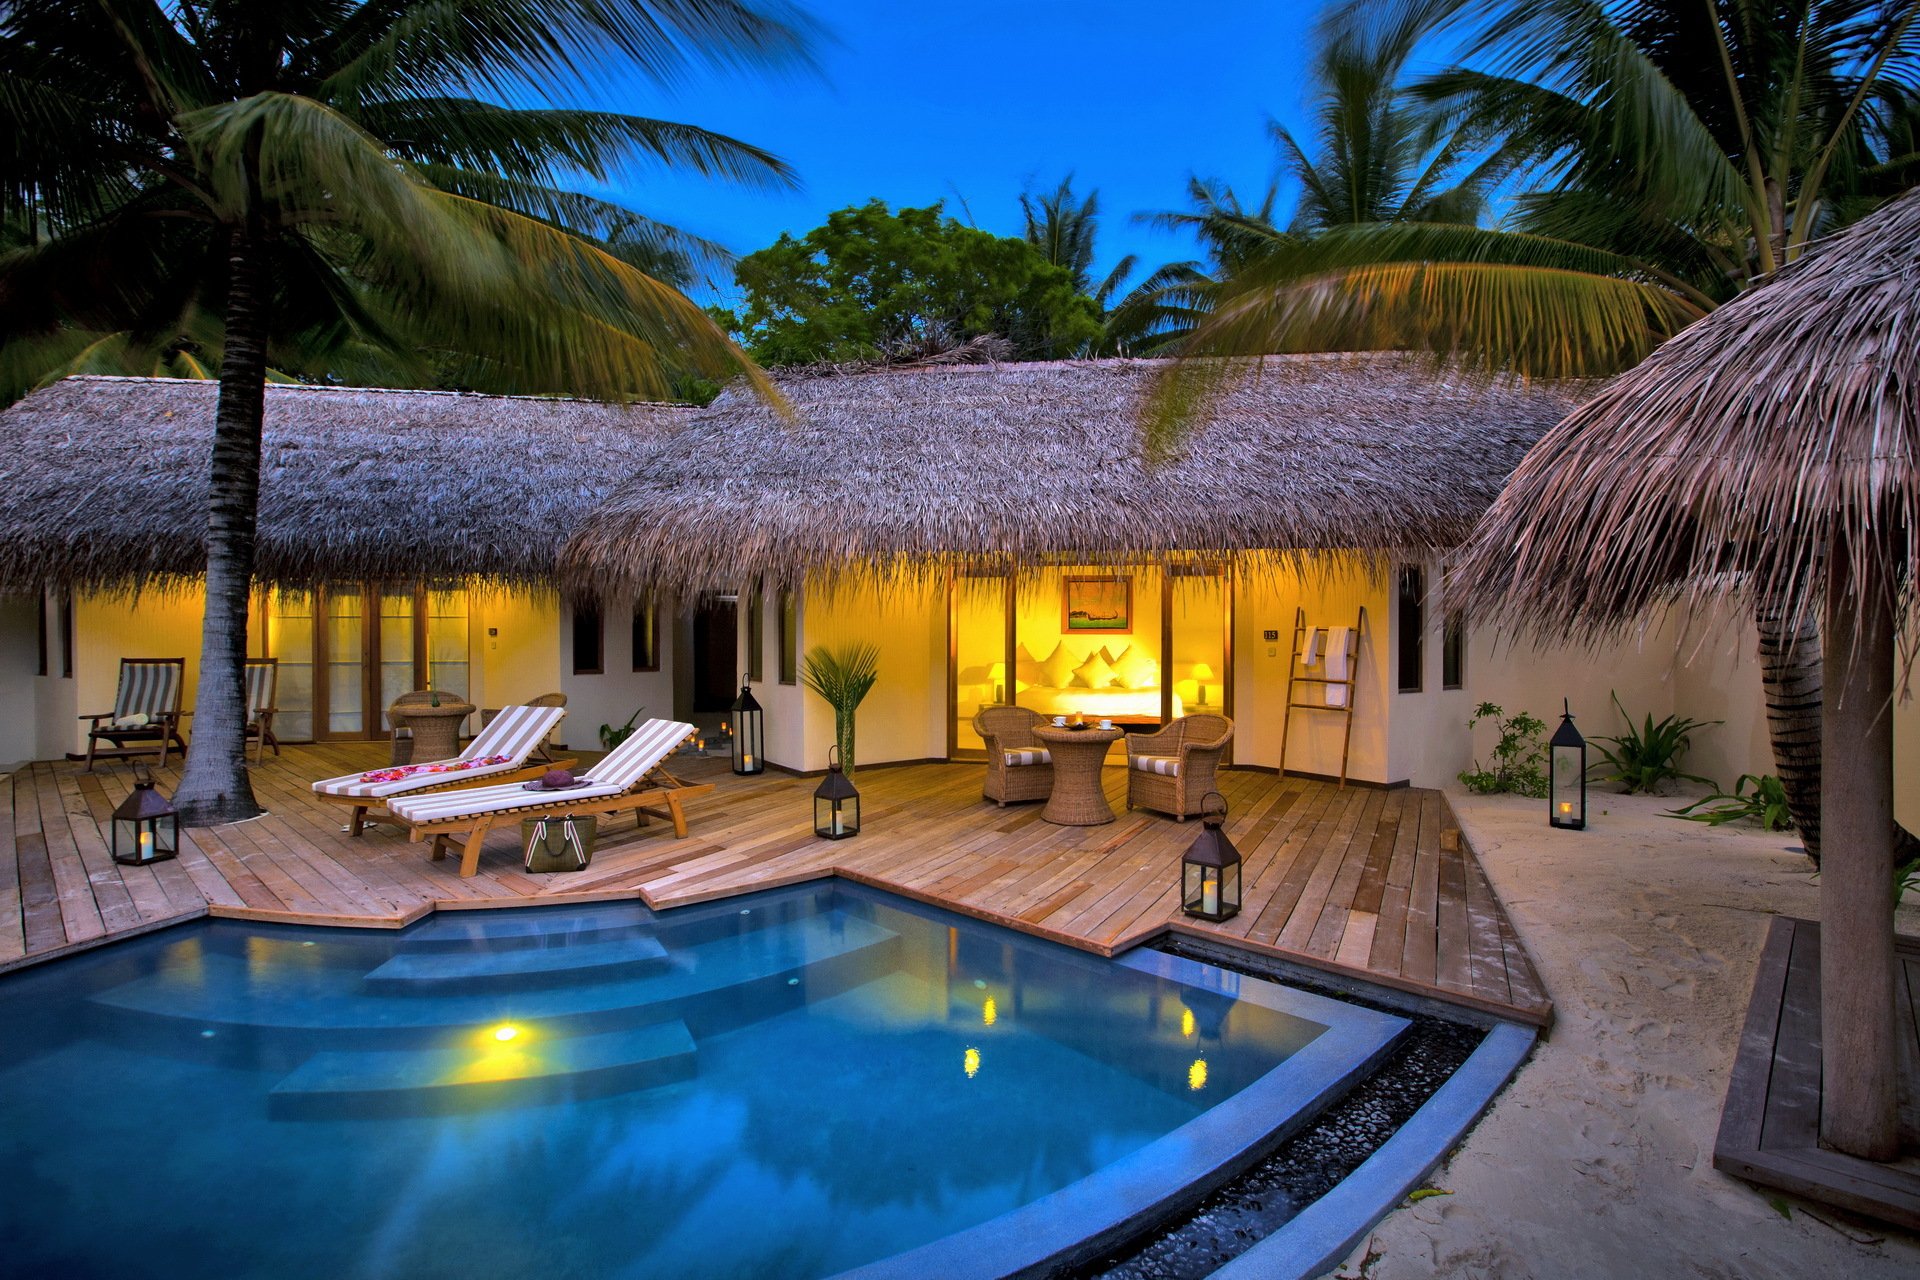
point(1045, 462)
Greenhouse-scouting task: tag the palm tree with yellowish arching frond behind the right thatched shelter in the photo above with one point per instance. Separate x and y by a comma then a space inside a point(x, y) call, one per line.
point(1679, 153)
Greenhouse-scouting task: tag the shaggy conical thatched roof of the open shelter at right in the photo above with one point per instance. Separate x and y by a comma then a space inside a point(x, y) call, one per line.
point(1731, 454)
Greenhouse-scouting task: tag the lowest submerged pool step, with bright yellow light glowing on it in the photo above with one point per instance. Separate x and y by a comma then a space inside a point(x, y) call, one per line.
point(489, 1074)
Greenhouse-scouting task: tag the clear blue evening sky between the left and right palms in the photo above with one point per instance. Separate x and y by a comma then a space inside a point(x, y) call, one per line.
point(921, 103)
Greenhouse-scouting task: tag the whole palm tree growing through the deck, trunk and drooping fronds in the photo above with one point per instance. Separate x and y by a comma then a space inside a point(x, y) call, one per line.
point(329, 181)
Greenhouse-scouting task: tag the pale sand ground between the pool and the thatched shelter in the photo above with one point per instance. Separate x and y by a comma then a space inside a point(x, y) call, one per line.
point(1598, 1158)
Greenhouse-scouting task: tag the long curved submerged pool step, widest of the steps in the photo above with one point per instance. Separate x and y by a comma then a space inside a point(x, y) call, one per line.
point(713, 987)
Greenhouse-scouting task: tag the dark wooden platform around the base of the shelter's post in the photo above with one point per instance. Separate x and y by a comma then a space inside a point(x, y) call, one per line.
point(1771, 1122)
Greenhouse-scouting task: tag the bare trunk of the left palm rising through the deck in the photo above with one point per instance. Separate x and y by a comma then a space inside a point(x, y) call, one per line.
point(214, 786)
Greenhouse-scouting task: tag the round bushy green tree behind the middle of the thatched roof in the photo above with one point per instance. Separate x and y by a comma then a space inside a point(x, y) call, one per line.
point(880, 285)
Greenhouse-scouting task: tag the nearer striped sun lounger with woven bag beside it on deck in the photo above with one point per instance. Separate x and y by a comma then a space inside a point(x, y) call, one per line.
point(629, 780)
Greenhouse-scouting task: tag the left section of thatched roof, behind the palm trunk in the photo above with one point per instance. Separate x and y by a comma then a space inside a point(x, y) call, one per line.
point(107, 483)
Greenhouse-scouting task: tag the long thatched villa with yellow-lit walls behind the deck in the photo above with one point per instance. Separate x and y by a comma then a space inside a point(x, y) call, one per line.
point(992, 529)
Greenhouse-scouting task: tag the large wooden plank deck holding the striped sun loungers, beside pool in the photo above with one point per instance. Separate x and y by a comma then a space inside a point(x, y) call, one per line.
point(1355, 882)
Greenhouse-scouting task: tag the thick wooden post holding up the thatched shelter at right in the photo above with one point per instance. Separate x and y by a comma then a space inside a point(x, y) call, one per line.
point(1858, 1012)
